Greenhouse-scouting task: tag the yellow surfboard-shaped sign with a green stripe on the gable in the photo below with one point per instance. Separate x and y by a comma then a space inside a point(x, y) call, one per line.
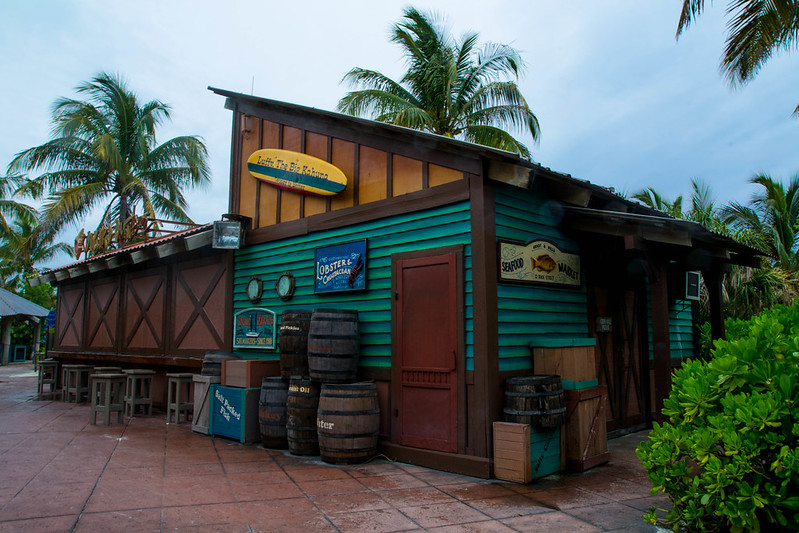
point(295, 171)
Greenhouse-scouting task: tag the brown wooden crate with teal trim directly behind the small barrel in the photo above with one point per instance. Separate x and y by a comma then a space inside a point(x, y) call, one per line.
point(574, 364)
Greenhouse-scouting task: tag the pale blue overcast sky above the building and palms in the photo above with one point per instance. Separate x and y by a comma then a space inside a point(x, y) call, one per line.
point(621, 103)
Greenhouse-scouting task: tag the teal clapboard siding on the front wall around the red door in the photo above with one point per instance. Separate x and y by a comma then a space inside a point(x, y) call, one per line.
point(443, 226)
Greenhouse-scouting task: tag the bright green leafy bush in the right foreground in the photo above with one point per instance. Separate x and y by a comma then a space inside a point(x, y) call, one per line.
point(728, 457)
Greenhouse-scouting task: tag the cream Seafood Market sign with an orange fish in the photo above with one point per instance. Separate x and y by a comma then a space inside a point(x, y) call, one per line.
point(538, 261)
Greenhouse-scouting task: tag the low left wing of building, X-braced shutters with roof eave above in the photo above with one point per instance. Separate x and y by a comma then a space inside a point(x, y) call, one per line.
point(158, 305)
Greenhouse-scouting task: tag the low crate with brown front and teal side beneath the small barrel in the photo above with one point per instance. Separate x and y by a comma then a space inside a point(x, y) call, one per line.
point(523, 453)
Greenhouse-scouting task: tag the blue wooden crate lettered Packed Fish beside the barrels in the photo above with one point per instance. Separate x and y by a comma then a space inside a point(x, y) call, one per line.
point(234, 413)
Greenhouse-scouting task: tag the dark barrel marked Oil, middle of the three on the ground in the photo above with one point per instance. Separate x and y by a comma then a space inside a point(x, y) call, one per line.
point(301, 405)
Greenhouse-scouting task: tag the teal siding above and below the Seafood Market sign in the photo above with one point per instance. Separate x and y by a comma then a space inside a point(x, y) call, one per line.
point(527, 313)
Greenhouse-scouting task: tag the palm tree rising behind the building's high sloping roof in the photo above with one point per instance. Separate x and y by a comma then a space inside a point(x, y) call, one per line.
point(452, 88)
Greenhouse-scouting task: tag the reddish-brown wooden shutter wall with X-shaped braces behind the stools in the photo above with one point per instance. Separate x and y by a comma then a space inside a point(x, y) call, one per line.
point(177, 308)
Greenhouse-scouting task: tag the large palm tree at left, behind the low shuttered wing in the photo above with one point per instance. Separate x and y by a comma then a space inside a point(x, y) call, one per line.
point(104, 153)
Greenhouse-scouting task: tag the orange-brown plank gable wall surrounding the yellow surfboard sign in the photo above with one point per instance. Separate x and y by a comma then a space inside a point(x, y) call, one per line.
point(372, 174)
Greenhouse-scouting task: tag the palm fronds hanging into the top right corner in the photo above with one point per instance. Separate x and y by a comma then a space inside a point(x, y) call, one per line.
point(757, 30)
